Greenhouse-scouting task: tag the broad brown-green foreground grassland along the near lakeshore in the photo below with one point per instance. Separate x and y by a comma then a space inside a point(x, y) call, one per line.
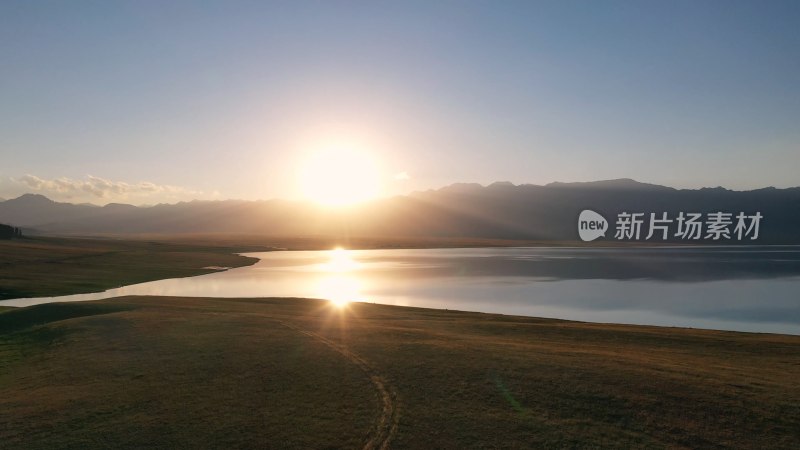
point(281, 373)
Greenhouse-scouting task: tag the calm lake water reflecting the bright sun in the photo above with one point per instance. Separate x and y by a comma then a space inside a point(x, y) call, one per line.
point(731, 288)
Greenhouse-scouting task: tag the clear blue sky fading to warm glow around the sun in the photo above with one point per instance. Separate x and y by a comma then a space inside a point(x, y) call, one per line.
point(162, 101)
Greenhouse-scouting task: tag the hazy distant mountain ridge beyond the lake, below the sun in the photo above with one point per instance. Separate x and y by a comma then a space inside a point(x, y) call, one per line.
point(500, 210)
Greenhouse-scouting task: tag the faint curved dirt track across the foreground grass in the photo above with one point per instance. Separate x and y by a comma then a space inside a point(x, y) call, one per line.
point(386, 426)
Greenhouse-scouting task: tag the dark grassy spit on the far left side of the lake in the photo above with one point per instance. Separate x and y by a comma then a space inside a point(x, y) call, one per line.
point(48, 266)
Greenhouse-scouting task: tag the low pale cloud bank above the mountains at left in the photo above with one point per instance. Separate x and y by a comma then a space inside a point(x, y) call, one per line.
point(94, 188)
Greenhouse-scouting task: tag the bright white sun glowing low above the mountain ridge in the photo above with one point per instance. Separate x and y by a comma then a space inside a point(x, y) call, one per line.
point(340, 177)
